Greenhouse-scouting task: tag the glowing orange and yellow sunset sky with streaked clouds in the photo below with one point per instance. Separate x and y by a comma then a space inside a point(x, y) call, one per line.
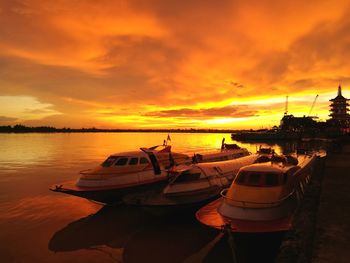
point(169, 64)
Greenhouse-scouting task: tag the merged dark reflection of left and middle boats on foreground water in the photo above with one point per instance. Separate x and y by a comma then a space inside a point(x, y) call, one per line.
point(143, 236)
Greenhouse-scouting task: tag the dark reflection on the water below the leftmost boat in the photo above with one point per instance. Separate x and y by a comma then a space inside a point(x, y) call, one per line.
point(110, 226)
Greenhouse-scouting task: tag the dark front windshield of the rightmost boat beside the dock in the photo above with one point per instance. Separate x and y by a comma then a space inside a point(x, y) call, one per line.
point(260, 179)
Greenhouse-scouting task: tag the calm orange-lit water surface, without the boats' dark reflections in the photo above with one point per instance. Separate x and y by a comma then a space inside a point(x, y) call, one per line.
point(37, 225)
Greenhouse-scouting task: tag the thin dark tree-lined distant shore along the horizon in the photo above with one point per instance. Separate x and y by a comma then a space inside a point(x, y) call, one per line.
point(45, 129)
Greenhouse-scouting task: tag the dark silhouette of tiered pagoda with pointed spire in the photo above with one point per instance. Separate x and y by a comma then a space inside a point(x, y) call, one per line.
point(339, 111)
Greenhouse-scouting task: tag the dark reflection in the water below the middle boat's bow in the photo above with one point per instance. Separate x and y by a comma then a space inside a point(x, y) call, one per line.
point(169, 240)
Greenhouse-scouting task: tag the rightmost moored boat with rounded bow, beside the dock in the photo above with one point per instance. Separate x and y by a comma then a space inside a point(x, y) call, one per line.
point(263, 197)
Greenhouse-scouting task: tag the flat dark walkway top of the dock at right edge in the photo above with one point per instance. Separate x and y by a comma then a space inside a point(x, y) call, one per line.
point(332, 236)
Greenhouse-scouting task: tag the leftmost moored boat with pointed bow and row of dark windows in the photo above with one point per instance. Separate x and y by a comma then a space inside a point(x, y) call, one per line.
point(123, 173)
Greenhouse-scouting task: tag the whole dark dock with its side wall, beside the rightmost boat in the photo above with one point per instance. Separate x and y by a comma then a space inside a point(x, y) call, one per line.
point(321, 230)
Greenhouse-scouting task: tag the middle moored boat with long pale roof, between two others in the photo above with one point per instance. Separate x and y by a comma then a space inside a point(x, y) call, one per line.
point(193, 184)
